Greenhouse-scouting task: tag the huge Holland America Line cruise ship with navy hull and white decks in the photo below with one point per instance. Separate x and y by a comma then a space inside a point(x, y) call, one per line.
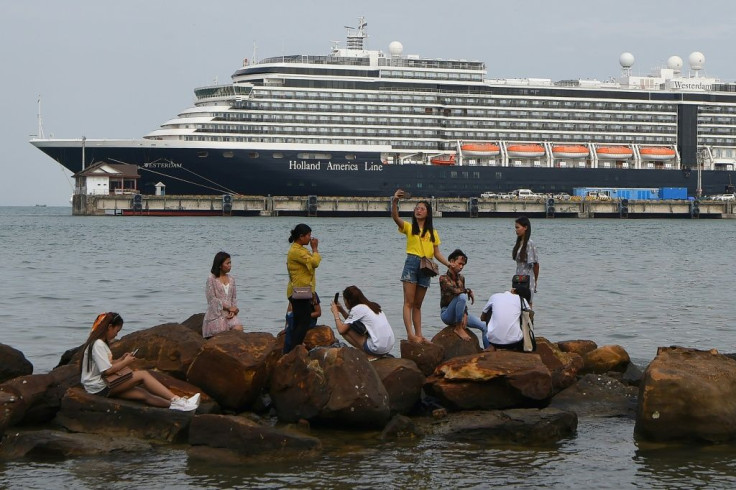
point(360, 122)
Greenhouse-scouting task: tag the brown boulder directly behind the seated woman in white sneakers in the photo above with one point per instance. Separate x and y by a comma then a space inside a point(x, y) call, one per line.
point(170, 348)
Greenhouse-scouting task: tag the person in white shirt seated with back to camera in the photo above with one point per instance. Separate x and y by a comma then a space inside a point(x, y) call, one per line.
point(502, 313)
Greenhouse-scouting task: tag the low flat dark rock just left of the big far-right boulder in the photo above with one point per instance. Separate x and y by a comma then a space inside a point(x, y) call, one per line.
point(598, 395)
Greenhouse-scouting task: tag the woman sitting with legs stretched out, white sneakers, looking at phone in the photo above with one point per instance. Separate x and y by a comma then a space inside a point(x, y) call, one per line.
point(97, 362)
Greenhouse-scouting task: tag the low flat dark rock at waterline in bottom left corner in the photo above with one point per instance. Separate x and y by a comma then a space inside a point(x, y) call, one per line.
point(59, 444)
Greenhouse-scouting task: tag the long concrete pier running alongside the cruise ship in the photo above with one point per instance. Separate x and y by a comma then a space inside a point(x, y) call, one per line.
point(235, 205)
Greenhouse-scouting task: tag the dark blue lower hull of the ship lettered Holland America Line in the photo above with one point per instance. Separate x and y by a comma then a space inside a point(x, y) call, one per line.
point(192, 171)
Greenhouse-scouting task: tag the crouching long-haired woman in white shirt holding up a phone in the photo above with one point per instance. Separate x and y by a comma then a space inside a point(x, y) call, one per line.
point(365, 326)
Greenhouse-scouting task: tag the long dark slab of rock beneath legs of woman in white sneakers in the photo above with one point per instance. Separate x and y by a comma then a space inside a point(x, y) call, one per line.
point(82, 412)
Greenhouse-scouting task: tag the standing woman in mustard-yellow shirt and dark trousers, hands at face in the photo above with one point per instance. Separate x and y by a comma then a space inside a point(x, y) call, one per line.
point(301, 265)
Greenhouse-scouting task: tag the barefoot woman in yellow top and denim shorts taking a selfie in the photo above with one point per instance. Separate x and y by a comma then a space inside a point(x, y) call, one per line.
point(422, 240)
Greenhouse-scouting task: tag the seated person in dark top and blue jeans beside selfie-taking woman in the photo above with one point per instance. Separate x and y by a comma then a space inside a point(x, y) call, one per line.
point(454, 298)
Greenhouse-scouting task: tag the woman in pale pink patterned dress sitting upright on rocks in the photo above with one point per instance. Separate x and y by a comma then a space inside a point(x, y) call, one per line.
point(222, 298)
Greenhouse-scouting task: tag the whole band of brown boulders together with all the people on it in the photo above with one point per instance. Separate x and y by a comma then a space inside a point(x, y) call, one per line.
point(239, 395)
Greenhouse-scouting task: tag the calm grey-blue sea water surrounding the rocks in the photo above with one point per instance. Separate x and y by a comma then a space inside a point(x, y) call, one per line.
point(637, 283)
